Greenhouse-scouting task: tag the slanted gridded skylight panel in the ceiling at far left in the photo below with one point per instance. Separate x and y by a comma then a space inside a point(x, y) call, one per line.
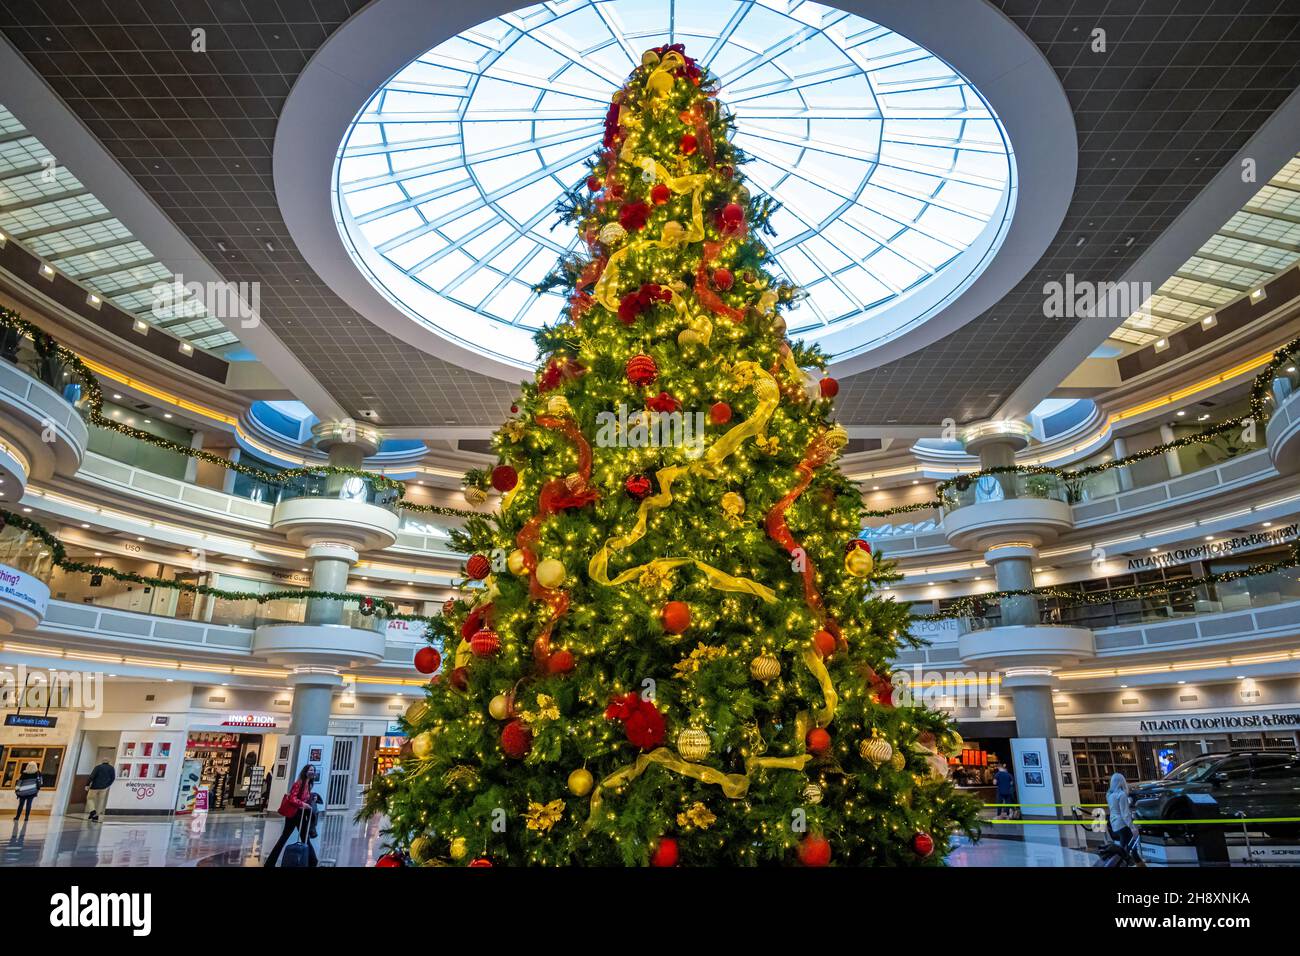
point(51, 213)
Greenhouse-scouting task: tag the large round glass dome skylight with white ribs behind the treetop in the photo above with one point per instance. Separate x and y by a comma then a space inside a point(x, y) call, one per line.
point(896, 178)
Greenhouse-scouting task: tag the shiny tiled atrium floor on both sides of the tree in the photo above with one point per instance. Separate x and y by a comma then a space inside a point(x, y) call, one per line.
point(240, 840)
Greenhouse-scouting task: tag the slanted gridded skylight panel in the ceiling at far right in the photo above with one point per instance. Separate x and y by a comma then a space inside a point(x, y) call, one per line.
point(1260, 241)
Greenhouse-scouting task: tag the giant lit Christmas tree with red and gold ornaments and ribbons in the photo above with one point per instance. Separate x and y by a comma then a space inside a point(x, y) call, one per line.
point(666, 650)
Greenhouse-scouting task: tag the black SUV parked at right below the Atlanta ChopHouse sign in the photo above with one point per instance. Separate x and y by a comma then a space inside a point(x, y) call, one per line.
point(1253, 784)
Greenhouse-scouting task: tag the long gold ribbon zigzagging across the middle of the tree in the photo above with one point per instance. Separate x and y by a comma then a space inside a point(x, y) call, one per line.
point(599, 569)
